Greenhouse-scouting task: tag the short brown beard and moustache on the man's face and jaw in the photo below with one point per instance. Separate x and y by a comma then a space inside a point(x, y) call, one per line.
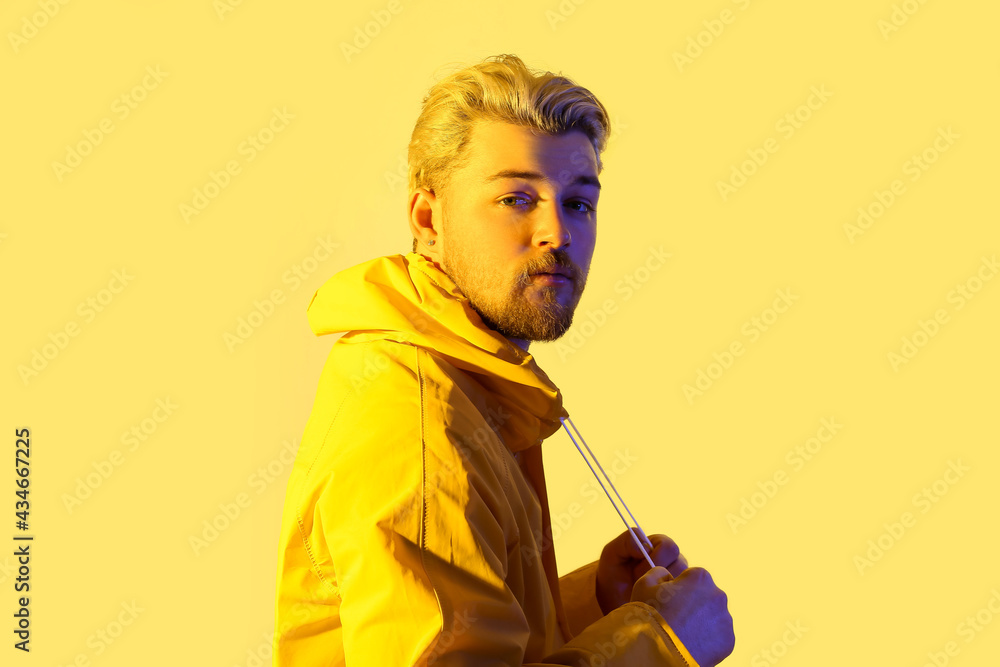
point(508, 301)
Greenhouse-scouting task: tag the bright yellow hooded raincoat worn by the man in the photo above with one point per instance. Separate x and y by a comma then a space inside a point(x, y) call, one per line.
point(416, 524)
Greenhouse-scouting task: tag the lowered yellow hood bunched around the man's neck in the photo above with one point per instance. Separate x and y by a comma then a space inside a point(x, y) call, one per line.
point(407, 298)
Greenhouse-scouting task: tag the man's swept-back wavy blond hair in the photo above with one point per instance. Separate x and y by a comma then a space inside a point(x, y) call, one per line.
point(500, 88)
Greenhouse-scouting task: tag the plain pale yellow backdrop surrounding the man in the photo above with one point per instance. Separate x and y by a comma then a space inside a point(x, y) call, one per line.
point(334, 171)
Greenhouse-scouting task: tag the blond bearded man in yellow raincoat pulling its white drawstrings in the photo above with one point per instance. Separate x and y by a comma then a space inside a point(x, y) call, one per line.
point(416, 524)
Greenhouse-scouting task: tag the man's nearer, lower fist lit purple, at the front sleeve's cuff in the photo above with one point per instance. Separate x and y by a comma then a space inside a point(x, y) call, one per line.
point(694, 608)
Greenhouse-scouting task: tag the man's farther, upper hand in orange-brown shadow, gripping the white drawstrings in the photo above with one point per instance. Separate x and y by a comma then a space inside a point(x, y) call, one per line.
point(622, 564)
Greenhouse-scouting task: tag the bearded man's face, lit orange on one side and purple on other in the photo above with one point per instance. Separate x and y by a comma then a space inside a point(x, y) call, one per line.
point(522, 204)
